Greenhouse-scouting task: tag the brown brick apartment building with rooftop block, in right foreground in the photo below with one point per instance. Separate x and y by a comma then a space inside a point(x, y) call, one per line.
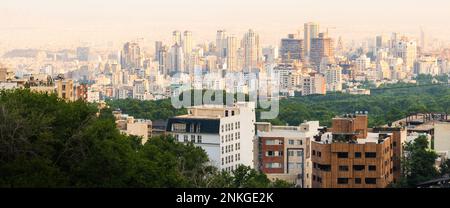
point(349, 156)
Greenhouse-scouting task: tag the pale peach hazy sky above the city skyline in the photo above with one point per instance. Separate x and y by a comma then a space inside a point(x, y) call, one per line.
point(55, 22)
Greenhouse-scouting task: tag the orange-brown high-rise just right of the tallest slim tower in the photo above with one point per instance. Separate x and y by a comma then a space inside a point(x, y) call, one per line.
point(321, 47)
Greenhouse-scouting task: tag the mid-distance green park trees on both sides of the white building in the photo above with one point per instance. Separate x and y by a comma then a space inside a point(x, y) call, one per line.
point(384, 105)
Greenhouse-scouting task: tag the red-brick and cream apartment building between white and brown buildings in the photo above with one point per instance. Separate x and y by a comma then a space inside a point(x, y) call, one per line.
point(283, 152)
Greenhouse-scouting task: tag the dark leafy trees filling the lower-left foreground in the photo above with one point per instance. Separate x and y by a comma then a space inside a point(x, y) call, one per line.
point(47, 142)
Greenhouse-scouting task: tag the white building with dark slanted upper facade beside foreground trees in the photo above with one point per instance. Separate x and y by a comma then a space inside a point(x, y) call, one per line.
point(225, 133)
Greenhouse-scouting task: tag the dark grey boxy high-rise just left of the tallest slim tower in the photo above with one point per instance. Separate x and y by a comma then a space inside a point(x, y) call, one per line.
point(291, 48)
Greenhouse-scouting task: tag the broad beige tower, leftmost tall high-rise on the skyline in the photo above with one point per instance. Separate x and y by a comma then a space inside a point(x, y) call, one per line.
point(131, 56)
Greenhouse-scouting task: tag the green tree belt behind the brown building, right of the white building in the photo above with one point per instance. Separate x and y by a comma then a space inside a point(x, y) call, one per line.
point(383, 105)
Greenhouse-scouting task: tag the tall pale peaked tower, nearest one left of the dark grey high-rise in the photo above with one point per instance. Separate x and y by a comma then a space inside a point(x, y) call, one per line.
point(252, 50)
